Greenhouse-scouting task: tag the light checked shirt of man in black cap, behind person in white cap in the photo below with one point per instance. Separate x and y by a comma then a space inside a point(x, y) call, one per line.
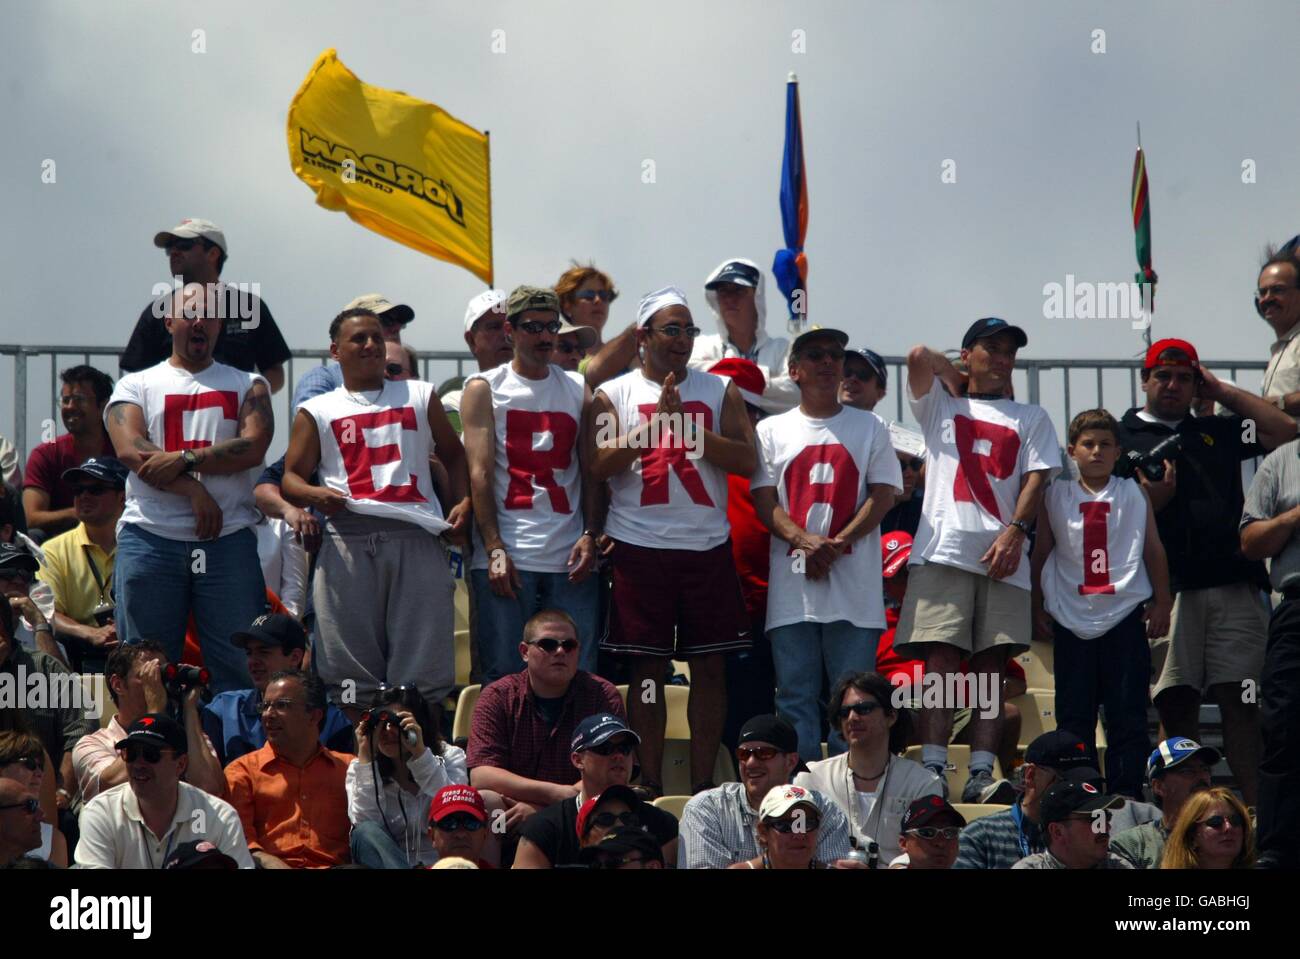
point(718, 830)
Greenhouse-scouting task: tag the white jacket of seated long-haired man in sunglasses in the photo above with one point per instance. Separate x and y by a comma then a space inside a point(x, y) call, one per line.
point(903, 783)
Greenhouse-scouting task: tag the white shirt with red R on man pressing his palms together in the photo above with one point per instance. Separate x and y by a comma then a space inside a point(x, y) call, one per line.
point(671, 498)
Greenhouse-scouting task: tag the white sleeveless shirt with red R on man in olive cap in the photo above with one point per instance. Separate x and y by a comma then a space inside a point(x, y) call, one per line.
point(538, 484)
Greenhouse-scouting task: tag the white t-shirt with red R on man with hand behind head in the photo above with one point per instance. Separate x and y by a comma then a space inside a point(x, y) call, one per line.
point(977, 453)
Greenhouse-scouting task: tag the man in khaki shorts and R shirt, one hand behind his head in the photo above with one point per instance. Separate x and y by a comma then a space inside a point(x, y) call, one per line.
point(989, 463)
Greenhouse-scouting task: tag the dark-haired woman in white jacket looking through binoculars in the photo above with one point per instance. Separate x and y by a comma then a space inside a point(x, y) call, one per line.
point(401, 765)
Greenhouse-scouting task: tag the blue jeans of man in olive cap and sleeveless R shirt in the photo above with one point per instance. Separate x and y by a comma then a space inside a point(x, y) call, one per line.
point(501, 622)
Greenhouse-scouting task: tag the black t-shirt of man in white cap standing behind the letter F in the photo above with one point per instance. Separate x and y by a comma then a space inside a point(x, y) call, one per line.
point(250, 350)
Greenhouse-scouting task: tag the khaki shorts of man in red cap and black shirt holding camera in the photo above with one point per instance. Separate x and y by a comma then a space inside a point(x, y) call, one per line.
point(1216, 636)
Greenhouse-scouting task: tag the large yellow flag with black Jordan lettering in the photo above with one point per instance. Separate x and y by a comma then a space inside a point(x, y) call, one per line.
point(400, 167)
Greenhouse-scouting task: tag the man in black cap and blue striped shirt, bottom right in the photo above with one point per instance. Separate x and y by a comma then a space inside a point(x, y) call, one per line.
point(1004, 839)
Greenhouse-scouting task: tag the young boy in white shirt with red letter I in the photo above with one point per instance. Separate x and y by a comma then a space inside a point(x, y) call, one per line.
point(1098, 559)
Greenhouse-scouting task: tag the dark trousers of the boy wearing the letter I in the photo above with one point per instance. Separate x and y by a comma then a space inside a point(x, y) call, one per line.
point(1112, 672)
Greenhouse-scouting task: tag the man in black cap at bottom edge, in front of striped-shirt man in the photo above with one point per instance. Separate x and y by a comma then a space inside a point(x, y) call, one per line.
point(1076, 818)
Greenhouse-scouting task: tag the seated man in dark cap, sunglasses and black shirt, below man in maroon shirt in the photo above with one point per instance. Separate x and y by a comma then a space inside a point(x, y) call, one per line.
point(603, 752)
